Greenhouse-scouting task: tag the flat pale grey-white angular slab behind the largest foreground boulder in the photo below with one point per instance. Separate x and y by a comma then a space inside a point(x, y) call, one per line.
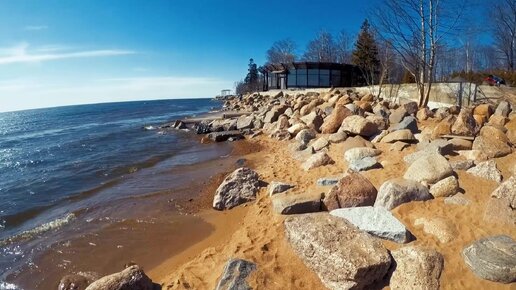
point(377, 221)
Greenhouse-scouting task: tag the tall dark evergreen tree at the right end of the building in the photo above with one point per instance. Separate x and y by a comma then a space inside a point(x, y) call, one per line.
point(365, 54)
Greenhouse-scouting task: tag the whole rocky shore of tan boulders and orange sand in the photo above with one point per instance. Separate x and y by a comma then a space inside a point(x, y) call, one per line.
point(361, 193)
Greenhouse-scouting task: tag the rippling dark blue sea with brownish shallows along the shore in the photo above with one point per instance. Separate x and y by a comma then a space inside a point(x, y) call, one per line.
point(66, 172)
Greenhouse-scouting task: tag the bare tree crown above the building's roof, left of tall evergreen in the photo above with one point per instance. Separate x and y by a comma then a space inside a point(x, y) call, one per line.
point(321, 49)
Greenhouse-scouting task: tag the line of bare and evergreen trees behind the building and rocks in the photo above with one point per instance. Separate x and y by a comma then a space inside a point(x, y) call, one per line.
point(419, 41)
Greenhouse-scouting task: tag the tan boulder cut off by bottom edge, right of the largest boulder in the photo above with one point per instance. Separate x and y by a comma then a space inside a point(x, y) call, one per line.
point(416, 268)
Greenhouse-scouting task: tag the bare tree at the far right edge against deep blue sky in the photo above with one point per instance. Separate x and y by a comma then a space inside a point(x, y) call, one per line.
point(503, 16)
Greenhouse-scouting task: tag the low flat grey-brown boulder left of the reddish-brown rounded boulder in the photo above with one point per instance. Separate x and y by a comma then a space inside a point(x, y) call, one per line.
point(296, 203)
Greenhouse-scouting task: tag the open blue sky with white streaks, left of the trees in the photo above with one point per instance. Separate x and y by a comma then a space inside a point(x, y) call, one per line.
point(74, 52)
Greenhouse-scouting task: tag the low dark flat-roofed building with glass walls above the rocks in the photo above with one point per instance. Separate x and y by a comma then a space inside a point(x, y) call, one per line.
point(311, 75)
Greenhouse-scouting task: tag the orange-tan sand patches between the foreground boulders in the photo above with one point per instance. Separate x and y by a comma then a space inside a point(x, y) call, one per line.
point(259, 235)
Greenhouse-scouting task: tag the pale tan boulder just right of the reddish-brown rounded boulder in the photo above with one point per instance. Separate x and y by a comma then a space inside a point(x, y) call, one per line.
point(395, 192)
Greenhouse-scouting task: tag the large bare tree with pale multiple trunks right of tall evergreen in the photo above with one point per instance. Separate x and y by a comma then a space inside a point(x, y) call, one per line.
point(415, 28)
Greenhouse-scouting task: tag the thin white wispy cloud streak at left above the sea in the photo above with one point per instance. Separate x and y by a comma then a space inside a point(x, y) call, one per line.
point(21, 54)
